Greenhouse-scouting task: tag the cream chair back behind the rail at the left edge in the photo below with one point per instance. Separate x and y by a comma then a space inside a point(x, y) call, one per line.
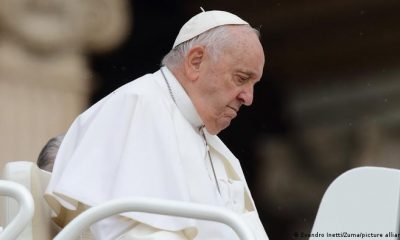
point(35, 181)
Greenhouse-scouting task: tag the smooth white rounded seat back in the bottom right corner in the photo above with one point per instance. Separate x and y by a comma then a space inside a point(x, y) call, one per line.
point(360, 203)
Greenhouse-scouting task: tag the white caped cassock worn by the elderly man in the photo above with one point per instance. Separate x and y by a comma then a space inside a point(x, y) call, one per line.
point(145, 140)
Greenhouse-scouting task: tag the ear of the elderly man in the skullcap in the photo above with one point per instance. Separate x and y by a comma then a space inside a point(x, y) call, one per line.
point(193, 61)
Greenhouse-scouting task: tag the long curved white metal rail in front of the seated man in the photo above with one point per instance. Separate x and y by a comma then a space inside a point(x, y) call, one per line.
point(157, 206)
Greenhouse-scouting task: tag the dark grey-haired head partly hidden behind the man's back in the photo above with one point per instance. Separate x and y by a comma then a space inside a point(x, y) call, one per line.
point(49, 152)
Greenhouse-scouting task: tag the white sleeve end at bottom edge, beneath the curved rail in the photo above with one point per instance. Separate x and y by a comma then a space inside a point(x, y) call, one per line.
point(145, 232)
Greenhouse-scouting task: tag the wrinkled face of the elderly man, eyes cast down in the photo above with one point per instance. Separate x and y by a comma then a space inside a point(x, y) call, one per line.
point(227, 83)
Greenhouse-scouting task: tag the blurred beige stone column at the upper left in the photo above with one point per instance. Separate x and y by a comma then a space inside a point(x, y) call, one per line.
point(44, 78)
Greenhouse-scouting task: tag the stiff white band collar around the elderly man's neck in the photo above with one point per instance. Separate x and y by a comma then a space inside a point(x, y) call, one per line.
point(182, 100)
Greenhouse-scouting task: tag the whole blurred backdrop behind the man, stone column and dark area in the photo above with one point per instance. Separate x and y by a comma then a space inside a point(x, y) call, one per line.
point(329, 99)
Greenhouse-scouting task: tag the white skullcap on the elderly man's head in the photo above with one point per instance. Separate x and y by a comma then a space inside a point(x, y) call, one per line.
point(205, 21)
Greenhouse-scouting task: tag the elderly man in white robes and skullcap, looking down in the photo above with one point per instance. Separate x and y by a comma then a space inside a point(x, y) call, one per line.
point(156, 136)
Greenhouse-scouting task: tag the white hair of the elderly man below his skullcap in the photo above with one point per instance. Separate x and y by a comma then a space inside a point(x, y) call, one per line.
point(213, 40)
